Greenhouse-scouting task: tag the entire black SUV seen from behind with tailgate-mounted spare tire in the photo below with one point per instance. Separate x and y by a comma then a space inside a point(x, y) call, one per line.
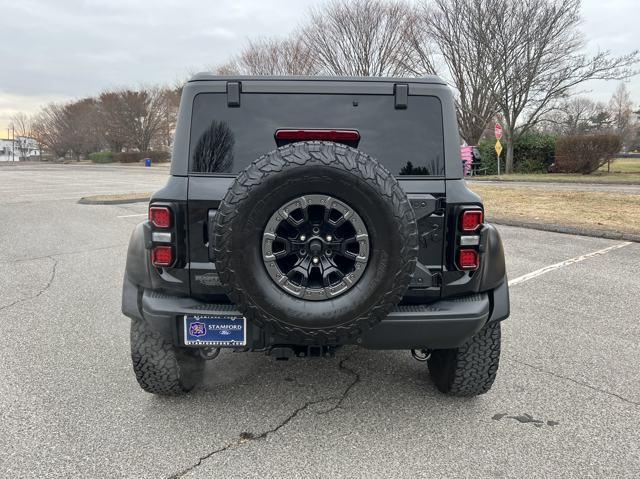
point(303, 214)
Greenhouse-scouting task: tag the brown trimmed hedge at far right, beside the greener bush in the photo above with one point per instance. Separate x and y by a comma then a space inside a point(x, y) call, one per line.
point(585, 153)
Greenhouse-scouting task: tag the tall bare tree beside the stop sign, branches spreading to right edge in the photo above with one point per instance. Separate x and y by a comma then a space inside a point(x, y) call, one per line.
point(538, 59)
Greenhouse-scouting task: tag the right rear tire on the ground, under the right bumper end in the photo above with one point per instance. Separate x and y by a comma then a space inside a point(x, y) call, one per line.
point(470, 369)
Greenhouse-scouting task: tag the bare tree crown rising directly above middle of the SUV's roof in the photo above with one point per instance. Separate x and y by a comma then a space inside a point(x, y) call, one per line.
point(363, 38)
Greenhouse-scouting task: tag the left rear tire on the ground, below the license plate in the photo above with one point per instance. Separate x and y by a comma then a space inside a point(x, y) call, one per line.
point(160, 367)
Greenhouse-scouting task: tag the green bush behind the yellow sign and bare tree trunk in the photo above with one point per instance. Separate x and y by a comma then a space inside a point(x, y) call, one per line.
point(532, 153)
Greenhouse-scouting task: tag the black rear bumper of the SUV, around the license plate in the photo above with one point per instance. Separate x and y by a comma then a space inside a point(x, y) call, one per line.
point(443, 324)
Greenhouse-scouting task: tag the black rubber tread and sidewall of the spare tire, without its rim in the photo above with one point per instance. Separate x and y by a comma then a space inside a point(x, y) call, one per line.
point(331, 169)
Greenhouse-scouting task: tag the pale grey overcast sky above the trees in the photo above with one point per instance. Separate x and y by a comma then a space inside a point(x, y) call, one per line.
point(60, 49)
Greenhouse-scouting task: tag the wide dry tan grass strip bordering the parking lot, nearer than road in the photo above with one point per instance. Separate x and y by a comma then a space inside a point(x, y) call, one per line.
point(581, 209)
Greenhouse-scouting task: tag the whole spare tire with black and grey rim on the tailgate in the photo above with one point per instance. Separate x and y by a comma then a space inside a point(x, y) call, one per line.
point(315, 242)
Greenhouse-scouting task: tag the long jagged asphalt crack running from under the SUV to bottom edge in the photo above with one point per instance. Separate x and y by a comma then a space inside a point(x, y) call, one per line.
point(246, 437)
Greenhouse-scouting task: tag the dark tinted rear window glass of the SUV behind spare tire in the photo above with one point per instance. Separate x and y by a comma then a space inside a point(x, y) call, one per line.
point(227, 139)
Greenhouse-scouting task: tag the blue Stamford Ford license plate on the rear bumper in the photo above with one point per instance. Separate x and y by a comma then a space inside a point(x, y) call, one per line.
point(215, 330)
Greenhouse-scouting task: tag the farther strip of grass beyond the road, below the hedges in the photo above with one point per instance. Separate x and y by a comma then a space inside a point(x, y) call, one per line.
point(623, 170)
